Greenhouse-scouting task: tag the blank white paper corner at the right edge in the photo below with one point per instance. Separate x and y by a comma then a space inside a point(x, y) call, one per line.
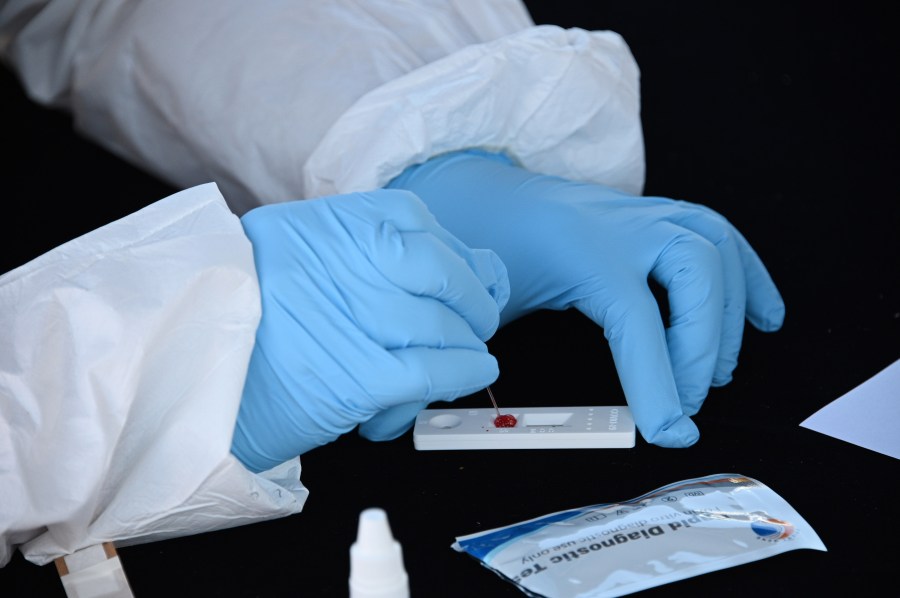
point(868, 415)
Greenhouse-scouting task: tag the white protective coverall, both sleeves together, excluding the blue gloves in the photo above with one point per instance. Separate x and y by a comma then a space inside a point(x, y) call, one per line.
point(273, 100)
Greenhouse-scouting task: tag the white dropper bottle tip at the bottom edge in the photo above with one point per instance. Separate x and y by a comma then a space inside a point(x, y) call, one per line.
point(376, 559)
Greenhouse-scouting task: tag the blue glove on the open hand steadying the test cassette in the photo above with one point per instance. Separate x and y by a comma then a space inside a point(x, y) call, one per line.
point(568, 244)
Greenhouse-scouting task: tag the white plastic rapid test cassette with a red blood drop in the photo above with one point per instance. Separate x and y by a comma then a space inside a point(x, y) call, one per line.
point(536, 427)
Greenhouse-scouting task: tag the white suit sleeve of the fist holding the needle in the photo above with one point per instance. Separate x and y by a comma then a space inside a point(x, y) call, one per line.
point(121, 370)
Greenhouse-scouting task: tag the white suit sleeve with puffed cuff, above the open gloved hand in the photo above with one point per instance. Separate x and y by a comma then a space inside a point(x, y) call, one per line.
point(289, 99)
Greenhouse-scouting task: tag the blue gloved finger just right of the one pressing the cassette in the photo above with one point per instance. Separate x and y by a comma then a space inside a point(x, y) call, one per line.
point(690, 269)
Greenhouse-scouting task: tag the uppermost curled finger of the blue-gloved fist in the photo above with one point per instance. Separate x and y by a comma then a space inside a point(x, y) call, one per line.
point(422, 264)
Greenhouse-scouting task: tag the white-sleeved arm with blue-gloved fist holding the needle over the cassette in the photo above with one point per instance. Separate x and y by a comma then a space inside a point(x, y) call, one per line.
point(125, 366)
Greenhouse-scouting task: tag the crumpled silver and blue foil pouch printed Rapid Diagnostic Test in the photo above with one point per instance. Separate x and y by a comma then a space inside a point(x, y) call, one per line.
point(677, 531)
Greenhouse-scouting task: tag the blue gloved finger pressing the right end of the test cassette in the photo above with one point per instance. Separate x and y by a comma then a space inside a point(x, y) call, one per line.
point(631, 322)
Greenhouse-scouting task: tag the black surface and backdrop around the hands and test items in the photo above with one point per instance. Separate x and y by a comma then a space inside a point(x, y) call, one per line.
point(782, 118)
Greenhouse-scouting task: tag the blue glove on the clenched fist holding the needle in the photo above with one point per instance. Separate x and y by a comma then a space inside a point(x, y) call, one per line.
point(369, 308)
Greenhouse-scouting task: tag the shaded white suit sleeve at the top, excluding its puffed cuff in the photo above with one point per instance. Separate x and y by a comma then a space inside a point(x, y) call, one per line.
point(225, 90)
